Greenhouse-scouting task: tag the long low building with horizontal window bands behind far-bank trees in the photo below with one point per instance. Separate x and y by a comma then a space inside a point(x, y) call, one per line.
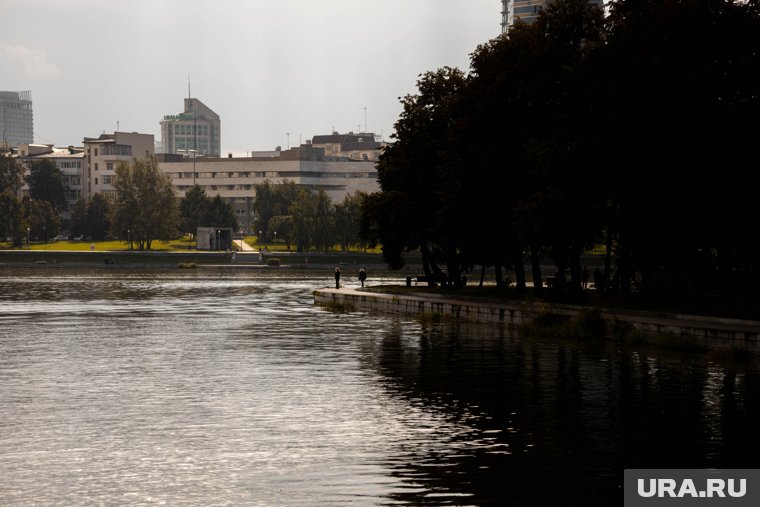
point(234, 179)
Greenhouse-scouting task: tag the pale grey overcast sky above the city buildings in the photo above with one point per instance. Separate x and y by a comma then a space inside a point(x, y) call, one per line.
point(278, 72)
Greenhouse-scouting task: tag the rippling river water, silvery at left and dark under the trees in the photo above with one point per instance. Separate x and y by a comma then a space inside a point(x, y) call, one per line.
point(201, 388)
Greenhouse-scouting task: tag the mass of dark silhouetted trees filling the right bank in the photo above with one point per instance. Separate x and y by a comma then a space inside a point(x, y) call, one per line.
point(632, 131)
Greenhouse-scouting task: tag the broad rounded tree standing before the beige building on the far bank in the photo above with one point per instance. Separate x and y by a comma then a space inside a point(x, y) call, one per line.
point(145, 207)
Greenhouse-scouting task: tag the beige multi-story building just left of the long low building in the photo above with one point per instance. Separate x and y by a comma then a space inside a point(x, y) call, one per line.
point(104, 154)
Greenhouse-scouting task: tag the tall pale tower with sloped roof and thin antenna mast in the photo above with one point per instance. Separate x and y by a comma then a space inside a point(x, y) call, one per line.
point(195, 130)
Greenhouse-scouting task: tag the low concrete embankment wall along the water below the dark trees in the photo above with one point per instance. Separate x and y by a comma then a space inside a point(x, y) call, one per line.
point(689, 330)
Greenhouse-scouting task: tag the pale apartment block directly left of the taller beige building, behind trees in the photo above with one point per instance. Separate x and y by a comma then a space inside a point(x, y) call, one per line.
point(71, 161)
